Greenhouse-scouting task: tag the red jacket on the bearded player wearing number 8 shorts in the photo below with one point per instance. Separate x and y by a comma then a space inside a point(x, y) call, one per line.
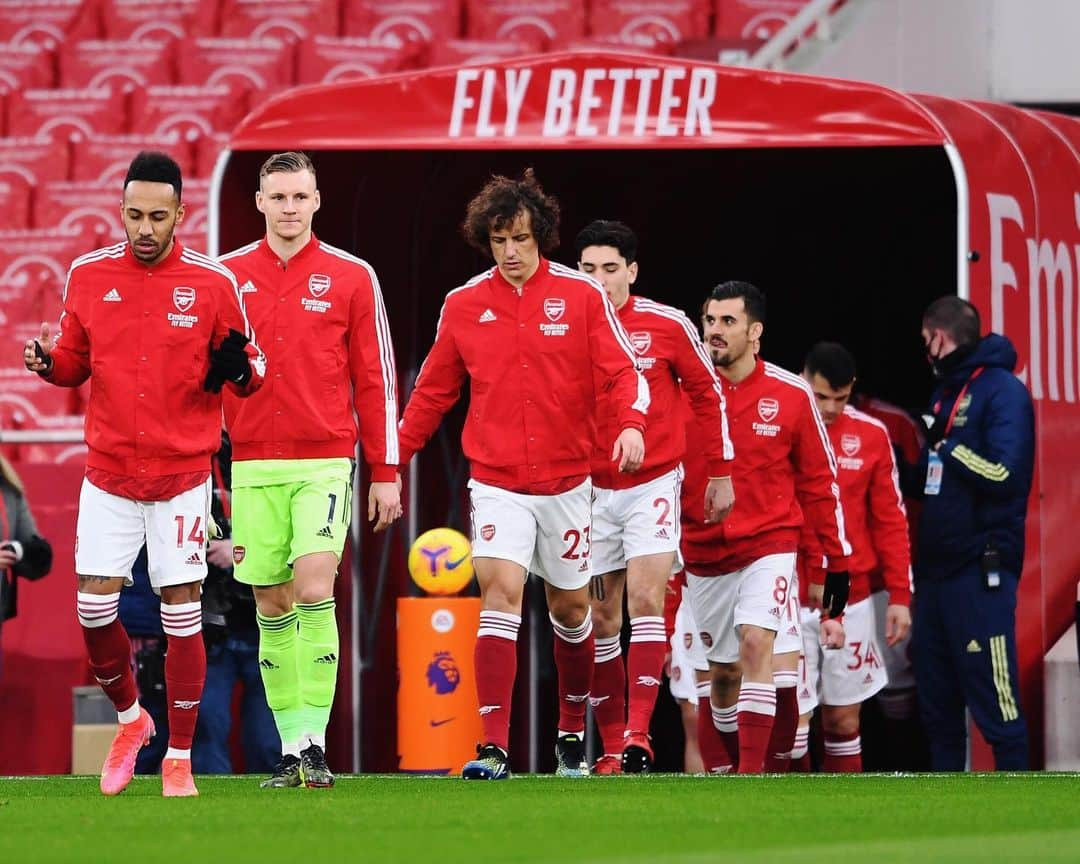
point(785, 472)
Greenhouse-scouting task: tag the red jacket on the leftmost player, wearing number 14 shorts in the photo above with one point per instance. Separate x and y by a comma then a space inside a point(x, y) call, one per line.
point(144, 335)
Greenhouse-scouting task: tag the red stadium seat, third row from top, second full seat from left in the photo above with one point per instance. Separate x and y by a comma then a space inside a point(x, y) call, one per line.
point(188, 111)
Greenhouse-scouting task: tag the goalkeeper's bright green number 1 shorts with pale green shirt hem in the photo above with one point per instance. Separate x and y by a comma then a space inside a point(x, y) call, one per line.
point(285, 509)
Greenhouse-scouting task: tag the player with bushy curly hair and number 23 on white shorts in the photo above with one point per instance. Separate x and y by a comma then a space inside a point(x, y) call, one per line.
point(533, 337)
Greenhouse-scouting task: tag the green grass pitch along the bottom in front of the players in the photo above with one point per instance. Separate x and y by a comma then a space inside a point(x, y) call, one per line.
point(664, 819)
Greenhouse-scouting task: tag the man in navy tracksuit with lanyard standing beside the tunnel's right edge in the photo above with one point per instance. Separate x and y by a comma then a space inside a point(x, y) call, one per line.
point(975, 476)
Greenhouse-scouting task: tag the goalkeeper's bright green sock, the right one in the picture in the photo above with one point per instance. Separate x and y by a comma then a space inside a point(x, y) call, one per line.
point(318, 660)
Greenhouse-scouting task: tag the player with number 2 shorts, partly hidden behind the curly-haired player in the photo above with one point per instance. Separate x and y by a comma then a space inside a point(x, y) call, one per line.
point(636, 517)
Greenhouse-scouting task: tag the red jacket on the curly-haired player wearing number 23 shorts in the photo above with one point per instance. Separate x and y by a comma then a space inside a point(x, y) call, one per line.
point(531, 360)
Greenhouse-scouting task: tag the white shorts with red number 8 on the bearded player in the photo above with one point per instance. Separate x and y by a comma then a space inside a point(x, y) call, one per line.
point(758, 595)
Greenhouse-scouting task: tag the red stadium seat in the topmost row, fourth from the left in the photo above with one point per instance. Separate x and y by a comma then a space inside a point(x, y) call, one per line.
point(399, 22)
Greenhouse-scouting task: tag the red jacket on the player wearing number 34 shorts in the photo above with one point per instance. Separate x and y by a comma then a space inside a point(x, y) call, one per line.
point(873, 511)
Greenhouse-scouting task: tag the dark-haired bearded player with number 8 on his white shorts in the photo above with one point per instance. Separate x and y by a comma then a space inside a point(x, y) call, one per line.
point(741, 572)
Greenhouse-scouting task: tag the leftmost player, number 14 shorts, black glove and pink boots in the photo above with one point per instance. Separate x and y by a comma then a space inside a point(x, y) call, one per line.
point(158, 330)
